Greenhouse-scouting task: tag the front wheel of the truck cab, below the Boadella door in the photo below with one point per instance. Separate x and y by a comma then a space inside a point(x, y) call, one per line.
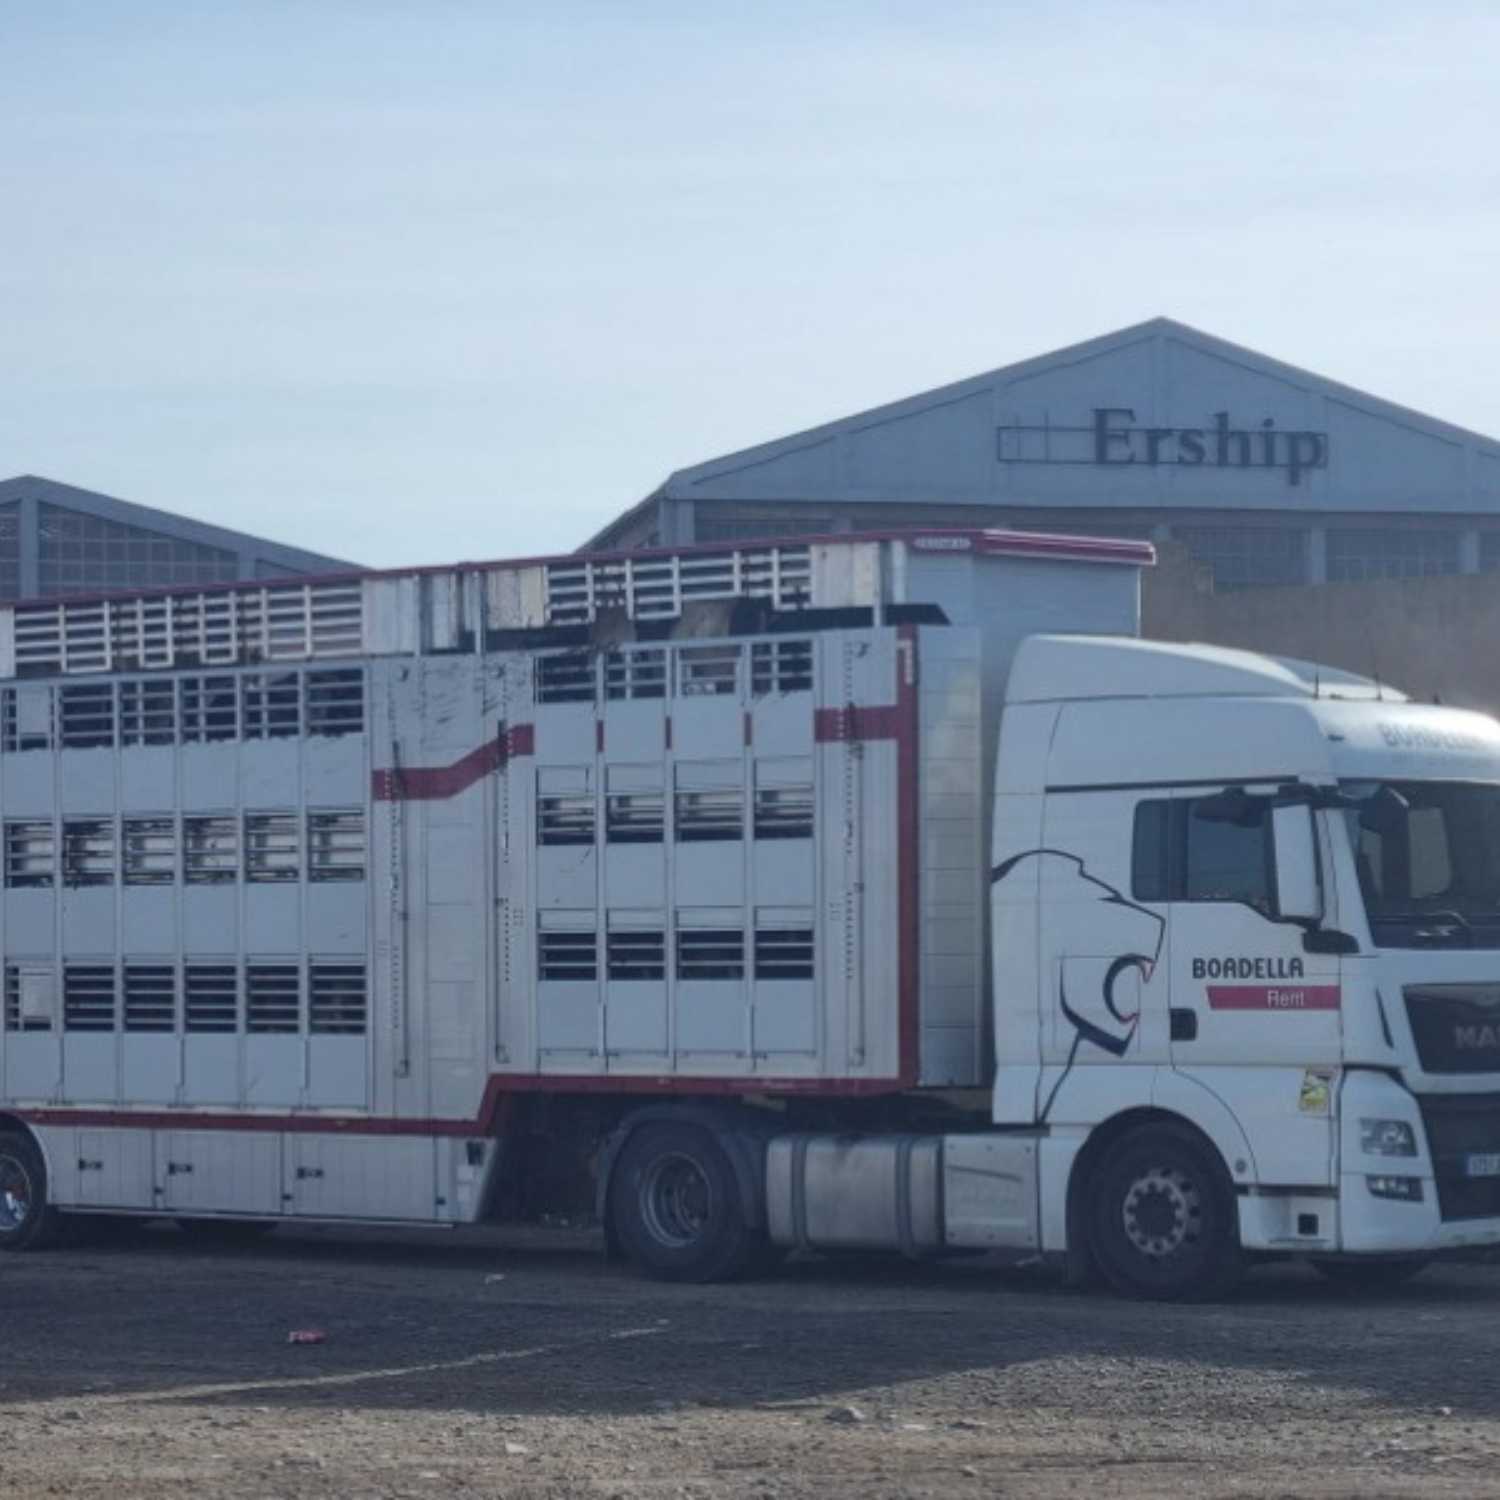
point(1162, 1217)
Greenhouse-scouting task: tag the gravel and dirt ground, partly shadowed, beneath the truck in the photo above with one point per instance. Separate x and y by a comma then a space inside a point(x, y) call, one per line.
point(511, 1366)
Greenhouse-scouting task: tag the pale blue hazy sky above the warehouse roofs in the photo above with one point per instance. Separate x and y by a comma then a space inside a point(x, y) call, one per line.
point(407, 283)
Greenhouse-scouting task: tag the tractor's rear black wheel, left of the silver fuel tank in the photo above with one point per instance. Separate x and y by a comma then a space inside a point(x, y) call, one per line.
point(676, 1210)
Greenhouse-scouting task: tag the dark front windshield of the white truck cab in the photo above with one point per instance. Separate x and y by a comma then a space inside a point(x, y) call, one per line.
point(1429, 860)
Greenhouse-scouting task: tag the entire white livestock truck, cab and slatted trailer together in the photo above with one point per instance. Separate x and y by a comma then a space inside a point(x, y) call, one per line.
point(868, 892)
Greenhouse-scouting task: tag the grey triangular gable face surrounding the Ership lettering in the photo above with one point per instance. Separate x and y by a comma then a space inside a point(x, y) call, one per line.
point(943, 446)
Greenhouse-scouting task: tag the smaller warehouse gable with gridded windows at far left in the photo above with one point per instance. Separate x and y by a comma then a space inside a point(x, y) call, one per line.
point(56, 539)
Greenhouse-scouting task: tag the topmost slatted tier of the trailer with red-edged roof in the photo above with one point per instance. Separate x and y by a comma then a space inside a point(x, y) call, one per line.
point(476, 607)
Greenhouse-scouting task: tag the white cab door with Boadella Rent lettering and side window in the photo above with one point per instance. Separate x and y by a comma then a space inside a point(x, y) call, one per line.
point(1253, 1015)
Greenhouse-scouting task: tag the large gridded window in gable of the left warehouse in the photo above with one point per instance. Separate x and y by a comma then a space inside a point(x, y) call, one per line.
point(79, 553)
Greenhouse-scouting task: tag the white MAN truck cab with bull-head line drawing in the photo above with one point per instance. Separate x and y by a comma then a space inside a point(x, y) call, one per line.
point(1270, 896)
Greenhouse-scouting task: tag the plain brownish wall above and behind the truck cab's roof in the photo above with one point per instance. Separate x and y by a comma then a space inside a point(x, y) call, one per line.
point(1429, 637)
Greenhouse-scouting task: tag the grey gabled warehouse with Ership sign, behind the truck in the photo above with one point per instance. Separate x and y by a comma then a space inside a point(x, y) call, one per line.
point(1265, 473)
